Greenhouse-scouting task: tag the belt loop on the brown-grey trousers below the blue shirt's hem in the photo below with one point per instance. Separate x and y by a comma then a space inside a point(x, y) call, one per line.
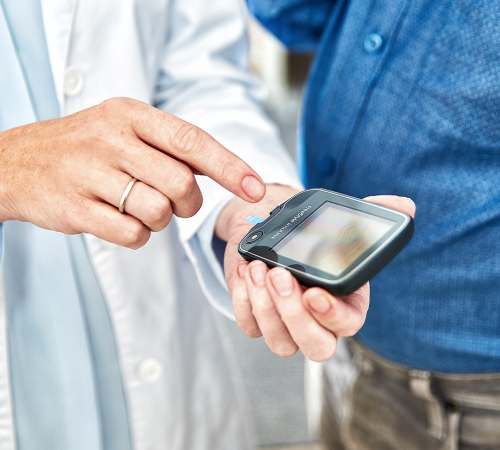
point(420, 386)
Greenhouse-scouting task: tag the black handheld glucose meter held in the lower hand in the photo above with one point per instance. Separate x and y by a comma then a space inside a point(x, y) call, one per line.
point(328, 239)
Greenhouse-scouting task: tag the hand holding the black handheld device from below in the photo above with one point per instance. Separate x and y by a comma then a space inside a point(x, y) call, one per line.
point(271, 303)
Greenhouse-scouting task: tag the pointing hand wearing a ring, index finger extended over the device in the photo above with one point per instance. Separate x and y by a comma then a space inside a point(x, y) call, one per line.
point(69, 174)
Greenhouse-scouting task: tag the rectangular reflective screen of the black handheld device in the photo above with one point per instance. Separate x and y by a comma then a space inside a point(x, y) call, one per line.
point(333, 238)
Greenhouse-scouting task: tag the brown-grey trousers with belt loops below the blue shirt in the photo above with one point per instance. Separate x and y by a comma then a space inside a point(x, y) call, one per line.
point(378, 405)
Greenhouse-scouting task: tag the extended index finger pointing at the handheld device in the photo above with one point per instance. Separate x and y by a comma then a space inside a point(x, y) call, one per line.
point(197, 148)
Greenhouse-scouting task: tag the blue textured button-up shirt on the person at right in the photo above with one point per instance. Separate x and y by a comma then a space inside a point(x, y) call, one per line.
point(404, 98)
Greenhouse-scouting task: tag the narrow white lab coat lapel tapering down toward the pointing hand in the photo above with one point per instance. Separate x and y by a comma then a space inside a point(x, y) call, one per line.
point(58, 20)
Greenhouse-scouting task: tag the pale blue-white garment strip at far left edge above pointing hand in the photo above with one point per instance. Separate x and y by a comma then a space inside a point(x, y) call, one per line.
point(13, 89)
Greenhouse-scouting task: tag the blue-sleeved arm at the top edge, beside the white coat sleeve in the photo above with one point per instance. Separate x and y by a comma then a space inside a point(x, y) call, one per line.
point(297, 23)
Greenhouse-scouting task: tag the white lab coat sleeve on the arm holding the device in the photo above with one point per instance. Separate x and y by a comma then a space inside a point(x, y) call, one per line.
point(203, 79)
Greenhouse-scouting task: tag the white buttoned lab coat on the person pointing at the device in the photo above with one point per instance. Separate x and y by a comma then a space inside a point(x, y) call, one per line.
point(187, 57)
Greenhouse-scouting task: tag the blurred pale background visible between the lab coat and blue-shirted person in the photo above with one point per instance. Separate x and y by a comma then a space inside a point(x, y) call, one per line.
point(275, 386)
